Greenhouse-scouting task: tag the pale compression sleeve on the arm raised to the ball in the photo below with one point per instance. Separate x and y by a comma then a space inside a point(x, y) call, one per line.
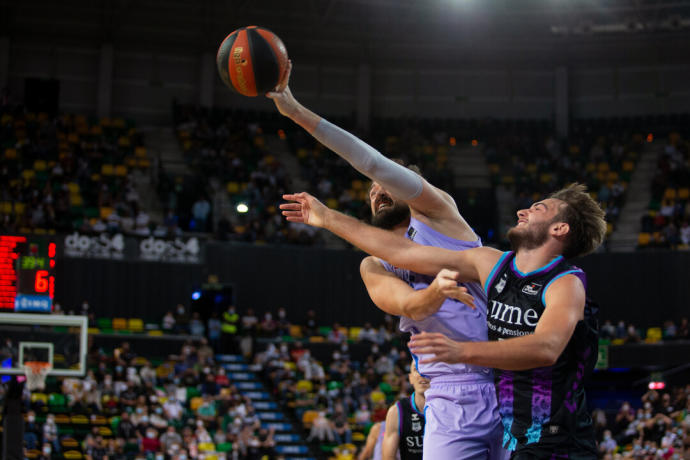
point(400, 181)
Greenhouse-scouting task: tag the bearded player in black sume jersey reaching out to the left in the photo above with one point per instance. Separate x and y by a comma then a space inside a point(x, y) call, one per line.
point(542, 329)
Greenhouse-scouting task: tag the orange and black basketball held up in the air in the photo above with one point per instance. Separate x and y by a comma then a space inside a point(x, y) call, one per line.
point(252, 60)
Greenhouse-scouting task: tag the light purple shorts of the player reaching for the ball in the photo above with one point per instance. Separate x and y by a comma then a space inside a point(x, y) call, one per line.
point(462, 420)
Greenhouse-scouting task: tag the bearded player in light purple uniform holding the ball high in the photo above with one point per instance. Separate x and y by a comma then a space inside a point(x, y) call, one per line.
point(461, 413)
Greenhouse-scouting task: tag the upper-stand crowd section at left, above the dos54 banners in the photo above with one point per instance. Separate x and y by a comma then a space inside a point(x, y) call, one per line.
point(69, 172)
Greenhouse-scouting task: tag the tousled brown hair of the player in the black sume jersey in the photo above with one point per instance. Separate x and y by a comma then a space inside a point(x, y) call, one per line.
point(585, 218)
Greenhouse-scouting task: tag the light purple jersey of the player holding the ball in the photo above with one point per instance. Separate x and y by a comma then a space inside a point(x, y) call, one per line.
point(454, 319)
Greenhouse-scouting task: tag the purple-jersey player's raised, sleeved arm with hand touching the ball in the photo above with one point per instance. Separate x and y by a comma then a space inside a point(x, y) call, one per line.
point(399, 180)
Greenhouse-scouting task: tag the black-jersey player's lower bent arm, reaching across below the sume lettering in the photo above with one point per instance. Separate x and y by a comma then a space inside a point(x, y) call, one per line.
point(565, 302)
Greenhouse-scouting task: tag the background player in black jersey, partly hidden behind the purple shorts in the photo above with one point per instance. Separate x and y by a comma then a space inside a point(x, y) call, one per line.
point(405, 422)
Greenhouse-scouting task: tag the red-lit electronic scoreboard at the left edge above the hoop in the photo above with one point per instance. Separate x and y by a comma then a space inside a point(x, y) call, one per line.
point(27, 274)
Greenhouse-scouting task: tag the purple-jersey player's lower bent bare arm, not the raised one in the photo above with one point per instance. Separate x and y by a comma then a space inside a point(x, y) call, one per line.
point(396, 297)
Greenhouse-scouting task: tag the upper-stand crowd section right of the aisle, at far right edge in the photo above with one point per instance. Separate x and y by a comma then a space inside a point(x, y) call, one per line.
point(667, 222)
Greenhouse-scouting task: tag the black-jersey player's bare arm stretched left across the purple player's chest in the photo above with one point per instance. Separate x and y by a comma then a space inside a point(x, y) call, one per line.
point(471, 264)
